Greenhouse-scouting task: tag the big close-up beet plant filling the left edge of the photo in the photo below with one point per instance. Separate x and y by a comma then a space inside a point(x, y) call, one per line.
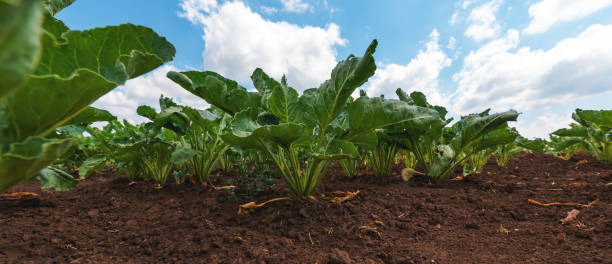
point(49, 74)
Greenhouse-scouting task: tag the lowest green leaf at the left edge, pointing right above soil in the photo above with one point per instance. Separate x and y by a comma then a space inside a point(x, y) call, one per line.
point(24, 160)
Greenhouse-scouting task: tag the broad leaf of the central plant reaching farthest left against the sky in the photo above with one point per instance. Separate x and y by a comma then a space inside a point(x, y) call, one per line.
point(217, 90)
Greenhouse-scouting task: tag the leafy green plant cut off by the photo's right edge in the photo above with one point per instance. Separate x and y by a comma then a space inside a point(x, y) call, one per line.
point(592, 133)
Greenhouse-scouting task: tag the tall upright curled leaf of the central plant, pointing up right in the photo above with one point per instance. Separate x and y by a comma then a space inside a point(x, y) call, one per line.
point(324, 104)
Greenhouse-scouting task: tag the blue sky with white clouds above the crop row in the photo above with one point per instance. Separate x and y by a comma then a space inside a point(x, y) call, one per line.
point(543, 58)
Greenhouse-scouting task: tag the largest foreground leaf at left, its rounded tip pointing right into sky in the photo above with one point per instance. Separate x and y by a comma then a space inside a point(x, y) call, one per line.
point(73, 74)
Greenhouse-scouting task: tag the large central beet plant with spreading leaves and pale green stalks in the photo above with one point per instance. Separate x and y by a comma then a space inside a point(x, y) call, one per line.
point(303, 134)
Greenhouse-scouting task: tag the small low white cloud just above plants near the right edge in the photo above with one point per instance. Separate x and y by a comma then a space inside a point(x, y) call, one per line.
point(545, 124)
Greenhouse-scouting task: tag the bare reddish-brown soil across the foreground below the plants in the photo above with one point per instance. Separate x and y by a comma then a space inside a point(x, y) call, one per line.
point(485, 218)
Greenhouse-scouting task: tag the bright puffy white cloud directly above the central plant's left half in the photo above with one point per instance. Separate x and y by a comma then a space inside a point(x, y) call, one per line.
point(237, 40)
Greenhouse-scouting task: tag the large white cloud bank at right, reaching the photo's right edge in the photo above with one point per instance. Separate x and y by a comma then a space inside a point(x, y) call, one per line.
point(499, 76)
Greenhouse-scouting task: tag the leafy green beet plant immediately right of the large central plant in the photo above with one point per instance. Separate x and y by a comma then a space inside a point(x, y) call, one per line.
point(439, 149)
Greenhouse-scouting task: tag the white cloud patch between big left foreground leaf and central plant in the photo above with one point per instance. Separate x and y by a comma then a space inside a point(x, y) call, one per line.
point(146, 90)
